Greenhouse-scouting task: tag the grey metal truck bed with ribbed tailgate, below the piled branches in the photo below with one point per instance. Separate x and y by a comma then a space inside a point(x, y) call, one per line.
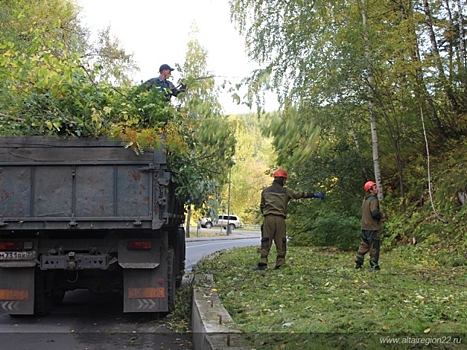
point(51, 183)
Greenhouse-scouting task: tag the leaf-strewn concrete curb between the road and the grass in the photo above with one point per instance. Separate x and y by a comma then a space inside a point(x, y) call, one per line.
point(212, 326)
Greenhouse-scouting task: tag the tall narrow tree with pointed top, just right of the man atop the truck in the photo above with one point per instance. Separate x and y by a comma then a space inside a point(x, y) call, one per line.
point(207, 135)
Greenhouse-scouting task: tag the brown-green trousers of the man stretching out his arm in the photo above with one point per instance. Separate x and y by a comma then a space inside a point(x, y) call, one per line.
point(273, 230)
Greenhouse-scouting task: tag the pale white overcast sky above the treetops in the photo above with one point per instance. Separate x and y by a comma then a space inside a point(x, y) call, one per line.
point(157, 32)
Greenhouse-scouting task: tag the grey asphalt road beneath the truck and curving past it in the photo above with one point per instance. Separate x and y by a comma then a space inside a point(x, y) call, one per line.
point(86, 321)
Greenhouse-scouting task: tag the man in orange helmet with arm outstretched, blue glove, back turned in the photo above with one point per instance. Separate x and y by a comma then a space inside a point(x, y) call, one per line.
point(274, 200)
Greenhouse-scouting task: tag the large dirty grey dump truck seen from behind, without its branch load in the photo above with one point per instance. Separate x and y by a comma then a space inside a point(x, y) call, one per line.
point(87, 213)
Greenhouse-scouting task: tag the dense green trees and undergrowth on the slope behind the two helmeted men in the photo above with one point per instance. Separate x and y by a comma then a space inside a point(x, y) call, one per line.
point(370, 90)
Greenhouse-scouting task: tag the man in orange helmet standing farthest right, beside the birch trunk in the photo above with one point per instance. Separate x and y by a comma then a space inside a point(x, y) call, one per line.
point(371, 226)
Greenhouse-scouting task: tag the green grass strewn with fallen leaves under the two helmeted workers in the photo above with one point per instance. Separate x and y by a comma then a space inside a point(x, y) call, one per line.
point(320, 301)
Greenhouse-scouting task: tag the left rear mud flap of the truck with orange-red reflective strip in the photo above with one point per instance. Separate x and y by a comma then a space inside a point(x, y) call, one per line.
point(17, 290)
